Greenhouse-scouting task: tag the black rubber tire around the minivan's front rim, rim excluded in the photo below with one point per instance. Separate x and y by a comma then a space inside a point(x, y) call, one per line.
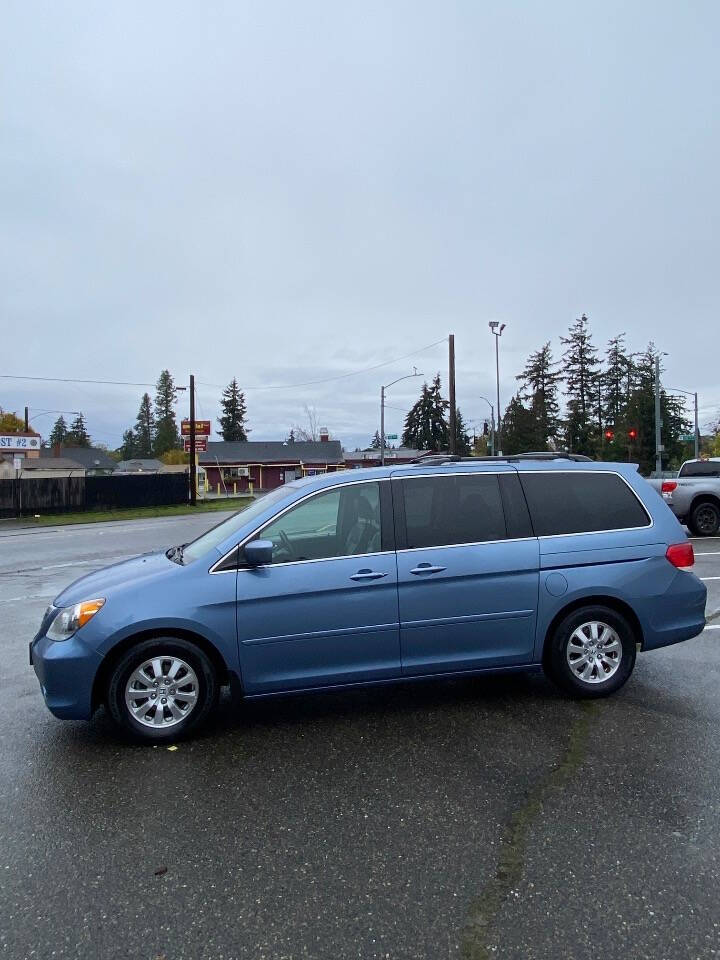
point(163, 649)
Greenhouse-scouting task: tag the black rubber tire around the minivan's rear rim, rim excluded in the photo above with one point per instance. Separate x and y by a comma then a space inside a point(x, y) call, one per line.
point(556, 656)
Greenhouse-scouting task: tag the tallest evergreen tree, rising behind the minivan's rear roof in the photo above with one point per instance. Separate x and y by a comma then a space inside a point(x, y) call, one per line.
point(581, 386)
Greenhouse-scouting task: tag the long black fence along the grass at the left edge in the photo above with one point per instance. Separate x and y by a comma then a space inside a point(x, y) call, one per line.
point(60, 494)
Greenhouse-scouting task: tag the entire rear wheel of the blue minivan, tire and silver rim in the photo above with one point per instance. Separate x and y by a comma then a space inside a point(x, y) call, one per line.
point(591, 652)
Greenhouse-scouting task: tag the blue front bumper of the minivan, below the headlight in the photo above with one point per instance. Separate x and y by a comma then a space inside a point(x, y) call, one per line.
point(66, 670)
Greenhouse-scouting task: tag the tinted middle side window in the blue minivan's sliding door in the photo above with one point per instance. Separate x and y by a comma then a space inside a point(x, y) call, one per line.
point(444, 510)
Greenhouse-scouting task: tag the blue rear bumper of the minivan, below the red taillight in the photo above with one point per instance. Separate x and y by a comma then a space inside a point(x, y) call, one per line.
point(676, 615)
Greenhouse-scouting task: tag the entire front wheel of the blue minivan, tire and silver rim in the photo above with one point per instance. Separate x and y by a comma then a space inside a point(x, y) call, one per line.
point(162, 689)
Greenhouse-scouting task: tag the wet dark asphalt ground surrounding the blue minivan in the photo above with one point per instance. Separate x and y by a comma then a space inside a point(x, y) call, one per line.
point(476, 818)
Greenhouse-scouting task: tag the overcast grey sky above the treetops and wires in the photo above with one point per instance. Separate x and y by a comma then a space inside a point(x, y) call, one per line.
point(285, 192)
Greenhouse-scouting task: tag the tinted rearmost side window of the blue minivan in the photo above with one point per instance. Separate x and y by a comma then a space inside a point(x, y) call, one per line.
point(580, 502)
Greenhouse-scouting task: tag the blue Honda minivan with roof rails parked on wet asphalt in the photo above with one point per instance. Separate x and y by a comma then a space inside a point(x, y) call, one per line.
point(441, 568)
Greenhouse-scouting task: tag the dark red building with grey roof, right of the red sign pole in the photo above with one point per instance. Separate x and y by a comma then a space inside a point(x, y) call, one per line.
point(263, 465)
